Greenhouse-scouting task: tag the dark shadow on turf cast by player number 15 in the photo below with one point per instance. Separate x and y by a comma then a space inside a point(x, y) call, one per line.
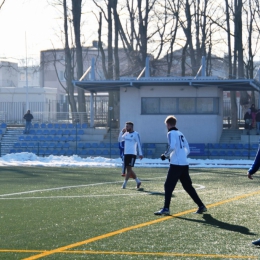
point(209, 220)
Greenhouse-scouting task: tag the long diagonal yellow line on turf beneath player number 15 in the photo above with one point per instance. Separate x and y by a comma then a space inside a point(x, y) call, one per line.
point(110, 234)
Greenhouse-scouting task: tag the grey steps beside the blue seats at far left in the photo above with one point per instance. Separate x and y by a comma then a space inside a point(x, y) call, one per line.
point(9, 138)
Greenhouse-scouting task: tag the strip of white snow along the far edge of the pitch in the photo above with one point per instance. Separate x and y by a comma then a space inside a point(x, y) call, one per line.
point(30, 159)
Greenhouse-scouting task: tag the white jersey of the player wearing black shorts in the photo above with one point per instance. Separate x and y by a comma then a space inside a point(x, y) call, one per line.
point(132, 142)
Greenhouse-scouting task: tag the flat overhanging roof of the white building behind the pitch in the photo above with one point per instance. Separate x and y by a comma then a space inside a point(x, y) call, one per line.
point(224, 84)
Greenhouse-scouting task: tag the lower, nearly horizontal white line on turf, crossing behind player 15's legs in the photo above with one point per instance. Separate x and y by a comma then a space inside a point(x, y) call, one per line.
point(138, 193)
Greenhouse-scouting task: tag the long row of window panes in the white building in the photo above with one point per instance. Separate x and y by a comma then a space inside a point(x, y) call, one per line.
point(179, 105)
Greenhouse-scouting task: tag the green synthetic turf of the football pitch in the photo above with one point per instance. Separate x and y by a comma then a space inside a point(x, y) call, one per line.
point(76, 210)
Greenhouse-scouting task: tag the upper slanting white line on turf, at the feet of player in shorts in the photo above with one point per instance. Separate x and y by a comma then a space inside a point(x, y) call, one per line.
point(79, 186)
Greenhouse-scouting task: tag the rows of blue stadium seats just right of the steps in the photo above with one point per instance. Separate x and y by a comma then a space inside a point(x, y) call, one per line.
point(66, 139)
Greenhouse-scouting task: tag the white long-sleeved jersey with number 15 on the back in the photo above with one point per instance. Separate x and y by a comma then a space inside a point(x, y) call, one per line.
point(178, 147)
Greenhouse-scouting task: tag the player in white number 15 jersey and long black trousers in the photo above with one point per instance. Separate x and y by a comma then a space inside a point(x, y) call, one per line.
point(177, 152)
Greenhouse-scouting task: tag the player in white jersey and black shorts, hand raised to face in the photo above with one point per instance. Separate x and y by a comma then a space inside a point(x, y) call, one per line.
point(132, 144)
